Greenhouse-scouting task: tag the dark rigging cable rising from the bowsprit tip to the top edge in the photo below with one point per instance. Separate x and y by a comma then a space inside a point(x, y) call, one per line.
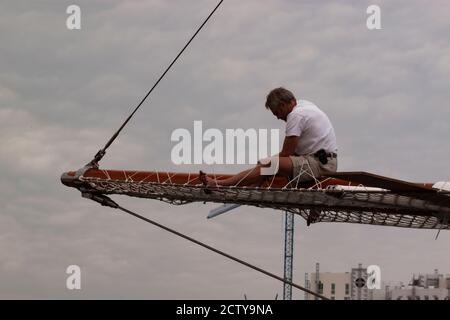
point(102, 152)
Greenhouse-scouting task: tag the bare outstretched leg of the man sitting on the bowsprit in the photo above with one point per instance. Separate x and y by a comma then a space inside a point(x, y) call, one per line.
point(248, 177)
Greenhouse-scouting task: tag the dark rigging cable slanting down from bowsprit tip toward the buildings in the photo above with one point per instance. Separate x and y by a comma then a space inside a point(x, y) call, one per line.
point(106, 201)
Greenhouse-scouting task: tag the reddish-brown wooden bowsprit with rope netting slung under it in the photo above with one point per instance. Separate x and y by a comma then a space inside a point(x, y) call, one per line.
point(350, 197)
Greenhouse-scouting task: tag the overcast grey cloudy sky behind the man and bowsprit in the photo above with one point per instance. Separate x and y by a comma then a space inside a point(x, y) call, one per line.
point(64, 92)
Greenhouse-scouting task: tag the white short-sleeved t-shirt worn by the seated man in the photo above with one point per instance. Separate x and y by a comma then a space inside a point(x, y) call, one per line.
point(313, 127)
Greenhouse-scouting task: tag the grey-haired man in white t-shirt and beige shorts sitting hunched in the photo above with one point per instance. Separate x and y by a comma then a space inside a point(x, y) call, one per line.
point(309, 148)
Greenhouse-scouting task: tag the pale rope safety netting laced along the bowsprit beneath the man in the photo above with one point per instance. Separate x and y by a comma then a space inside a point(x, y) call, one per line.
point(319, 202)
